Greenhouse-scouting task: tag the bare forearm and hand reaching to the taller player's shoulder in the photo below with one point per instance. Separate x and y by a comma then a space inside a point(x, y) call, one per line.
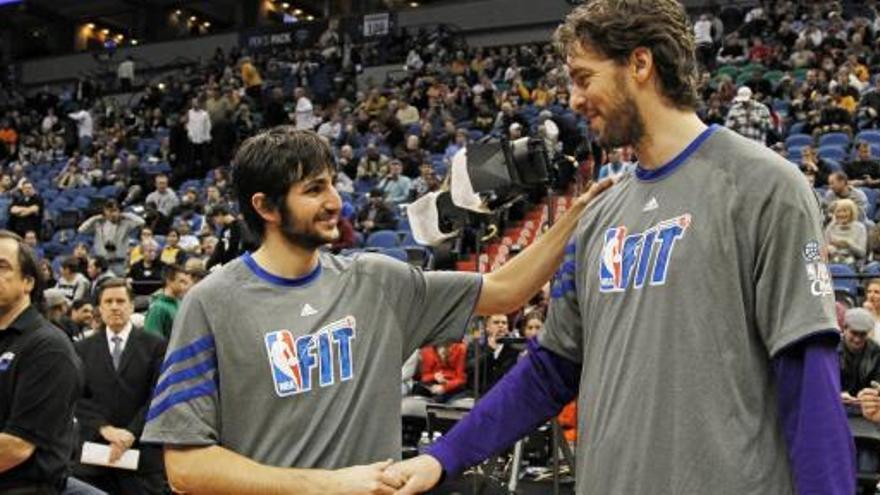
point(511, 286)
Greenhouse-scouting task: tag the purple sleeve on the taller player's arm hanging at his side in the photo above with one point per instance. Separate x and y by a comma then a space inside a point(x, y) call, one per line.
point(820, 445)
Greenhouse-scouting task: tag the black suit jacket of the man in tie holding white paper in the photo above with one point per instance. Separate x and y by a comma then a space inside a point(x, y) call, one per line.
point(119, 398)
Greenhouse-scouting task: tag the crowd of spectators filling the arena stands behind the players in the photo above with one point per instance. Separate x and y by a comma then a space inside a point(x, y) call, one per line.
point(102, 190)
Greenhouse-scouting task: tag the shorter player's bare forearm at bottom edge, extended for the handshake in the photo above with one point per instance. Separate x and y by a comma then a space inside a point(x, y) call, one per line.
point(216, 470)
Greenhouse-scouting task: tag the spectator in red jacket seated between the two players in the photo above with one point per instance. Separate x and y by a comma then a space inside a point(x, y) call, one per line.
point(443, 374)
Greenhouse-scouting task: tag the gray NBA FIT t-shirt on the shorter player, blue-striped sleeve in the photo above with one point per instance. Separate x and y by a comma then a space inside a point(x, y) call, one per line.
point(303, 373)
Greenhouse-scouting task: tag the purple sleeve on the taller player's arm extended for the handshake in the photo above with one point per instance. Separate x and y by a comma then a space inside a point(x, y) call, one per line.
point(538, 387)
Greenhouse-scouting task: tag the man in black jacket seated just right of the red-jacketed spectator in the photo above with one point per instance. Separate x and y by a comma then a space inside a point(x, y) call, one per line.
point(496, 357)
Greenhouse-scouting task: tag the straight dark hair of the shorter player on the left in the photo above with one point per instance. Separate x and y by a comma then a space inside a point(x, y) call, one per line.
point(271, 162)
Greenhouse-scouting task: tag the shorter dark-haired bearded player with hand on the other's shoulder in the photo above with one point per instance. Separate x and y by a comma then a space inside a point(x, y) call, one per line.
point(284, 365)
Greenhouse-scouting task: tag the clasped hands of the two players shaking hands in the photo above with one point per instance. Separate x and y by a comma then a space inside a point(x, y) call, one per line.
point(416, 475)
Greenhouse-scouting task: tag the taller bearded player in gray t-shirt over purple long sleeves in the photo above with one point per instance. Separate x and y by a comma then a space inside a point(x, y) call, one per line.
point(676, 394)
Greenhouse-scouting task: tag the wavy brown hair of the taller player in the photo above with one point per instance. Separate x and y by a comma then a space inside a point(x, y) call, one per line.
point(615, 28)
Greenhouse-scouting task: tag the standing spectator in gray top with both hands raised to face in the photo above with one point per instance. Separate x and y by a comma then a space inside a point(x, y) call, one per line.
point(112, 229)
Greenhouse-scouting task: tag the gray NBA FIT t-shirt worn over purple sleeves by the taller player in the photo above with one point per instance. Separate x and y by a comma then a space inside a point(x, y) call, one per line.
point(677, 393)
